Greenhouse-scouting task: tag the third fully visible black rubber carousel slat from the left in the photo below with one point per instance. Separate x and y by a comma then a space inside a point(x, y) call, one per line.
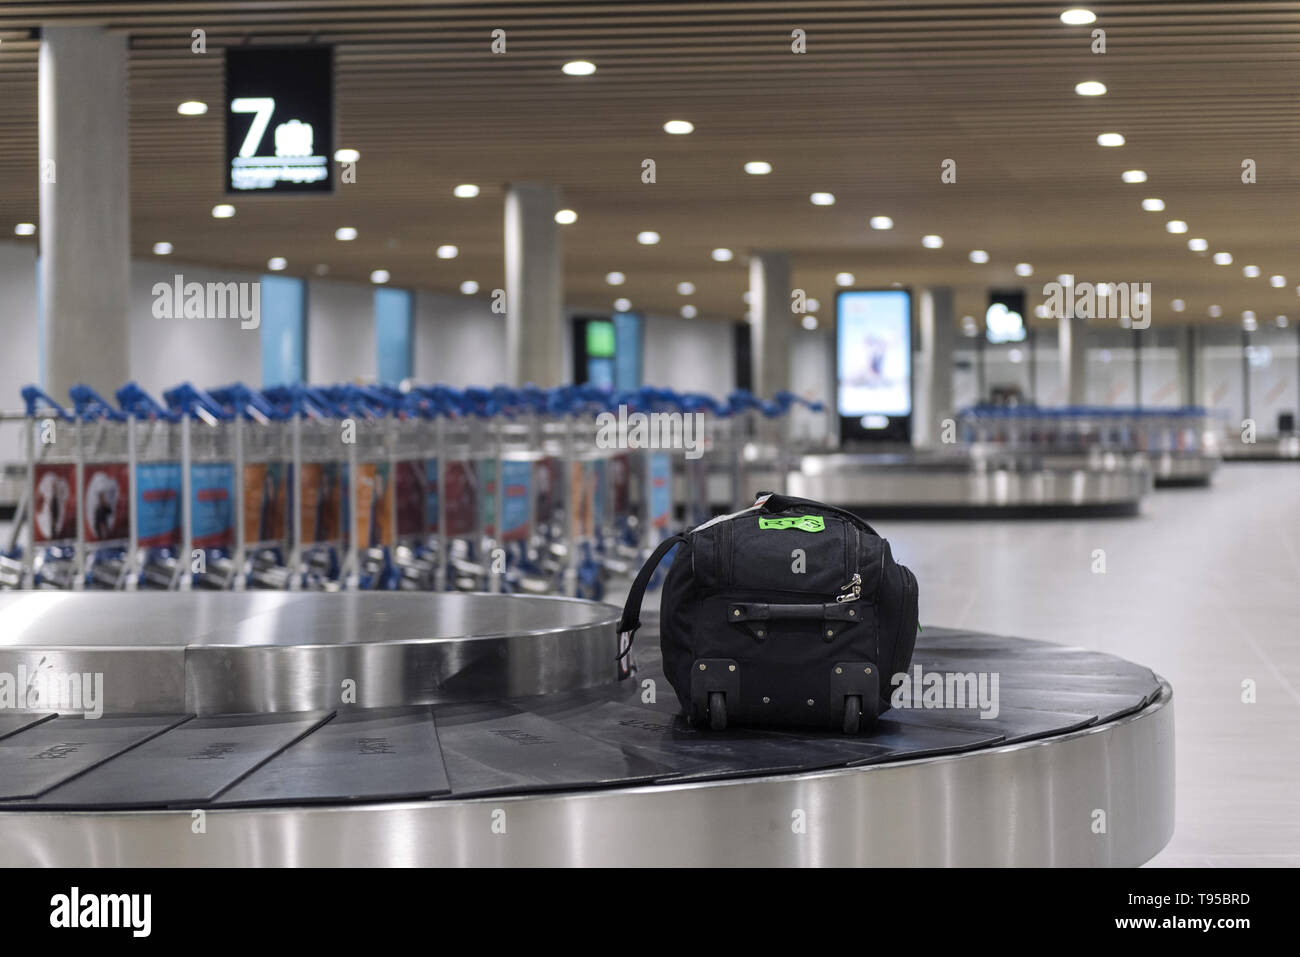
point(499, 750)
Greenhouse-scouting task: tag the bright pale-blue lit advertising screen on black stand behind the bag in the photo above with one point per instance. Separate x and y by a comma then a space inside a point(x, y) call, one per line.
point(874, 354)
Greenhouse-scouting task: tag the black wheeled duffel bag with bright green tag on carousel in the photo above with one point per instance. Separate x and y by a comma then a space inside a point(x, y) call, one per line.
point(787, 613)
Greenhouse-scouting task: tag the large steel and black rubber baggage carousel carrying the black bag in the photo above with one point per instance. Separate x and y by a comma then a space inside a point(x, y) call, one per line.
point(352, 730)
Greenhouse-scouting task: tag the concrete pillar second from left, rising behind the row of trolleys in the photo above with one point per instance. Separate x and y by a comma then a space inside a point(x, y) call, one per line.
point(536, 339)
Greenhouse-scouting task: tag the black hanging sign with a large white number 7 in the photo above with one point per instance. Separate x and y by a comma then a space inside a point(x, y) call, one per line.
point(280, 120)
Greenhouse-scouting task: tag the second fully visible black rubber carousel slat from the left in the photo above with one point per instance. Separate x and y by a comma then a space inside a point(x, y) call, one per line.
point(359, 756)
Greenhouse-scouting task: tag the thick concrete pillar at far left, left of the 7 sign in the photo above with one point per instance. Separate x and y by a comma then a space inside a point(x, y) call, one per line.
point(85, 223)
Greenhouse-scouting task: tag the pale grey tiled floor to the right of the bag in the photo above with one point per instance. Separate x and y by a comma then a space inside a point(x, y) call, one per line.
point(1204, 588)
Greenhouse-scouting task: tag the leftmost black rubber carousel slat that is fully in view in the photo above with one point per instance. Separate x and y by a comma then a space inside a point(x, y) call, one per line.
point(189, 767)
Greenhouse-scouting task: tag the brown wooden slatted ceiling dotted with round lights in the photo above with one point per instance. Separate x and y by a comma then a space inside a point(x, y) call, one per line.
point(886, 92)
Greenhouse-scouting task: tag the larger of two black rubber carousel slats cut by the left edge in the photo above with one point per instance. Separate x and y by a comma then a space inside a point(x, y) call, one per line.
point(54, 752)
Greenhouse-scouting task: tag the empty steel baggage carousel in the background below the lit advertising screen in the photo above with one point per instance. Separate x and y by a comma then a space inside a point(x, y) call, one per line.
point(959, 484)
